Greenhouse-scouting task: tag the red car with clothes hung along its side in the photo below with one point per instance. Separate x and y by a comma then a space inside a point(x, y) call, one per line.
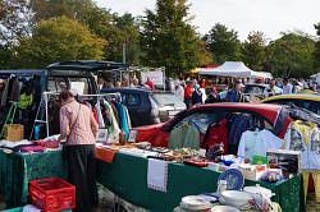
point(274, 117)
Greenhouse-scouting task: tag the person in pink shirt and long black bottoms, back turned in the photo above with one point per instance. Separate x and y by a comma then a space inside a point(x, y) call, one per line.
point(79, 128)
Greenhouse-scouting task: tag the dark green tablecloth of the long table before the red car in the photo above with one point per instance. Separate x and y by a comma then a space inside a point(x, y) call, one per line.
point(127, 177)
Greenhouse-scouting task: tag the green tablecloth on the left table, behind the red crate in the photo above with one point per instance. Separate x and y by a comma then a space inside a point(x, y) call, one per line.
point(17, 170)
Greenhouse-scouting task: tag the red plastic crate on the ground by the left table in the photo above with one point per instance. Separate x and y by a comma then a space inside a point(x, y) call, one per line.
point(52, 194)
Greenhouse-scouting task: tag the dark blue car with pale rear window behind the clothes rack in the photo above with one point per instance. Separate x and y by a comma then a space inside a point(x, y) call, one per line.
point(146, 107)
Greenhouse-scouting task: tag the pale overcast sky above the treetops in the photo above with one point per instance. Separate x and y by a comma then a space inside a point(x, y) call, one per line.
point(268, 16)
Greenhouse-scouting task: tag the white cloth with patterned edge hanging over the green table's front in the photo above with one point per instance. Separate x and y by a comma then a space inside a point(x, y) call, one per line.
point(157, 175)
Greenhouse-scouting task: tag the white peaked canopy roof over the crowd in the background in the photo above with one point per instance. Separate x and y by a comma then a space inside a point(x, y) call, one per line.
point(228, 69)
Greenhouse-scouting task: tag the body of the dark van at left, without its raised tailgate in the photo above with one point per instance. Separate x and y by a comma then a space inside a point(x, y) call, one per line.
point(39, 81)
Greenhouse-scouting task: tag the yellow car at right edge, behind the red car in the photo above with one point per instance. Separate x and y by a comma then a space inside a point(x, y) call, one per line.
point(307, 101)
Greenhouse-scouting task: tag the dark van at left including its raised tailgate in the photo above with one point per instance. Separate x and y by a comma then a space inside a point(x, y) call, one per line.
point(77, 75)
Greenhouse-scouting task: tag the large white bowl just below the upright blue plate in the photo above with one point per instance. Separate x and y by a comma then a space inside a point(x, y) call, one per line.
point(236, 198)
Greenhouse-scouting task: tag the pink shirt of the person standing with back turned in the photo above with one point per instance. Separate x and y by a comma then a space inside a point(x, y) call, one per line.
point(82, 132)
